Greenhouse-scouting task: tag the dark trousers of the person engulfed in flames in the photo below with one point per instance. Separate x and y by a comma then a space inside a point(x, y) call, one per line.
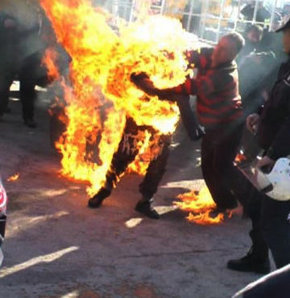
point(126, 153)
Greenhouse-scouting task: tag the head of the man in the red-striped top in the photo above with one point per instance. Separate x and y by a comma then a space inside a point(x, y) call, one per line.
point(227, 48)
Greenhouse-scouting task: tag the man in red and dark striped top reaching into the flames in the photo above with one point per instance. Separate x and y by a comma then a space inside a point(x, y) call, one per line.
point(219, 110)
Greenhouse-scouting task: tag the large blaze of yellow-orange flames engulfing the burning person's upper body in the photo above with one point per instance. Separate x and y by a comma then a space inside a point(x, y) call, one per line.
point(100, 95)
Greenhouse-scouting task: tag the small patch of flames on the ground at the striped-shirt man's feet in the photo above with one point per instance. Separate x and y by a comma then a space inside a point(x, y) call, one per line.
point(199, 204)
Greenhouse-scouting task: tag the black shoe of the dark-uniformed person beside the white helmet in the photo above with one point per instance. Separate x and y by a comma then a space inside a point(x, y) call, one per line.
point(250, 263)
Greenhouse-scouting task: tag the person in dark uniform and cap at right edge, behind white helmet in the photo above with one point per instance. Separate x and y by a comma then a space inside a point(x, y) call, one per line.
point(272, 129)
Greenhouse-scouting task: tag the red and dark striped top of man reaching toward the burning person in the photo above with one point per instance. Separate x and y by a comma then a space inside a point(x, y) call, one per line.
point(217, 90)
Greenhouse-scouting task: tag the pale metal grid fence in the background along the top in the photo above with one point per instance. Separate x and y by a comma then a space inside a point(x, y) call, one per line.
point(208, 19)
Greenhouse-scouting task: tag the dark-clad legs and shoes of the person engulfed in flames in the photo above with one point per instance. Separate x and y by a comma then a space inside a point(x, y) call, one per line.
point(126, 153)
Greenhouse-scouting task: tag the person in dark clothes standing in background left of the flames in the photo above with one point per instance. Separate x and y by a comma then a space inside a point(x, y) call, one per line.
point(22, 49)
